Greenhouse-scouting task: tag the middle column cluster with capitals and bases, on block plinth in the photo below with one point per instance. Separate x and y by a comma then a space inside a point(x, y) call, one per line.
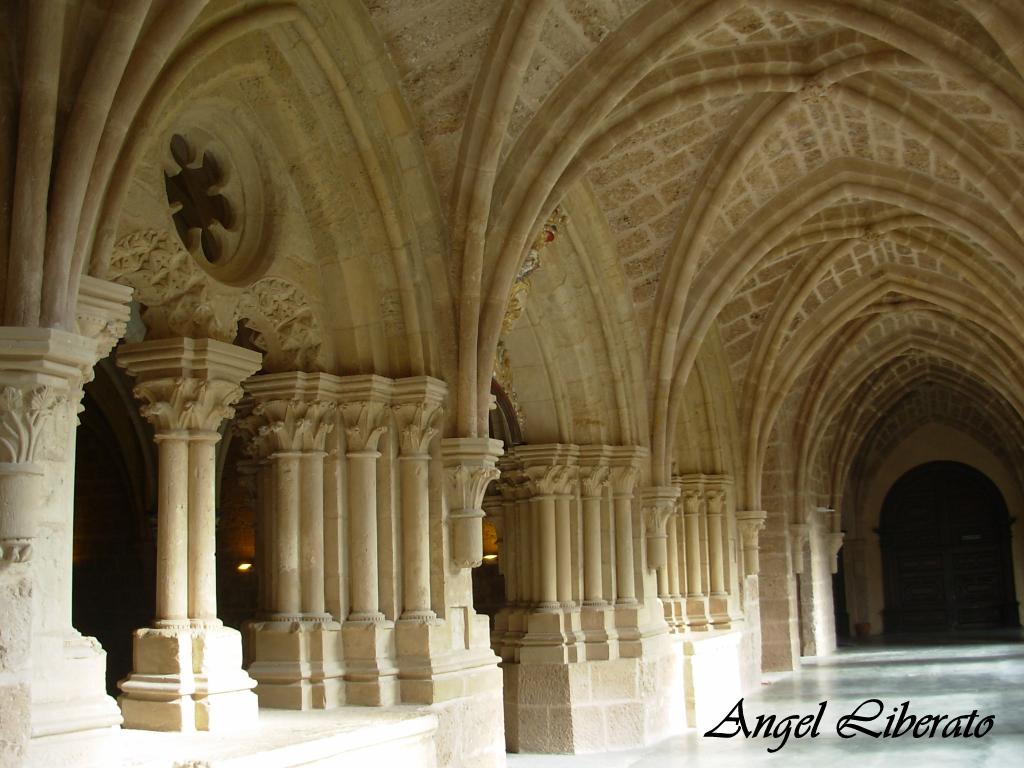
point(567, 525)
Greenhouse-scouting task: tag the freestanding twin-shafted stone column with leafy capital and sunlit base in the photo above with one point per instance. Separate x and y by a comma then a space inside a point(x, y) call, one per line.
point(188, 673)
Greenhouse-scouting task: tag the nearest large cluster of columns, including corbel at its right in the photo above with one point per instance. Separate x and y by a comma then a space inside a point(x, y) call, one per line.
point(358, 578)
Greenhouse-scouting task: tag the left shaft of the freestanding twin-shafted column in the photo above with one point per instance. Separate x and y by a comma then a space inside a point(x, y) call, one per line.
point(173, 531)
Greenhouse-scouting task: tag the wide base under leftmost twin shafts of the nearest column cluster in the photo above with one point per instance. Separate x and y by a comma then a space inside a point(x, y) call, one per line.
point(297, 665)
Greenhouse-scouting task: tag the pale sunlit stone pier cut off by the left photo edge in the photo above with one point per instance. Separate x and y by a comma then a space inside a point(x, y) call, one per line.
point(41, 374)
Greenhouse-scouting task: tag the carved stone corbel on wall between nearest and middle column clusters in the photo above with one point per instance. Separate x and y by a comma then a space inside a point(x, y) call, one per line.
point(471, 463)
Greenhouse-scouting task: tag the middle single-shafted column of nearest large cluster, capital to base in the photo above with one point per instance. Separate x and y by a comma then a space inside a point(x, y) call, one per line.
point(371, 670)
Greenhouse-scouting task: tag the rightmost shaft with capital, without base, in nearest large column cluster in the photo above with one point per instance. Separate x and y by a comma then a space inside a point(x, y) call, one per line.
point(417, 405)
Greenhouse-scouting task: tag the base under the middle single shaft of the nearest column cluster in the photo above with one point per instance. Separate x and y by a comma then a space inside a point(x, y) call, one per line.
point(371, 677)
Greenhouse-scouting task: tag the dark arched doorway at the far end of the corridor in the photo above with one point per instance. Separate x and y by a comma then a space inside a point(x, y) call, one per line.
point(946, 551)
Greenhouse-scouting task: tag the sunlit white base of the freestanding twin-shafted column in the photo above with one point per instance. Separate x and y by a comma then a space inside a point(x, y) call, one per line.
point(188, 679)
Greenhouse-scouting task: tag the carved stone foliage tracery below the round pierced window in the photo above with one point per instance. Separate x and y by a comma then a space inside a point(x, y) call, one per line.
point(182, 300)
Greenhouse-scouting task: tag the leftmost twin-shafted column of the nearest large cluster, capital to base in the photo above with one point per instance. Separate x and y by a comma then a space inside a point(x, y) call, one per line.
point(296, 650)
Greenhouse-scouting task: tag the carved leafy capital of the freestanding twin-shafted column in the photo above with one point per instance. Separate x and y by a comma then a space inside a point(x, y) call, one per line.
point(188, 385)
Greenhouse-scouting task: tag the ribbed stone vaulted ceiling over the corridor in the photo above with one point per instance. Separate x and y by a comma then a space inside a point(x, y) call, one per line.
point(835, 186)
